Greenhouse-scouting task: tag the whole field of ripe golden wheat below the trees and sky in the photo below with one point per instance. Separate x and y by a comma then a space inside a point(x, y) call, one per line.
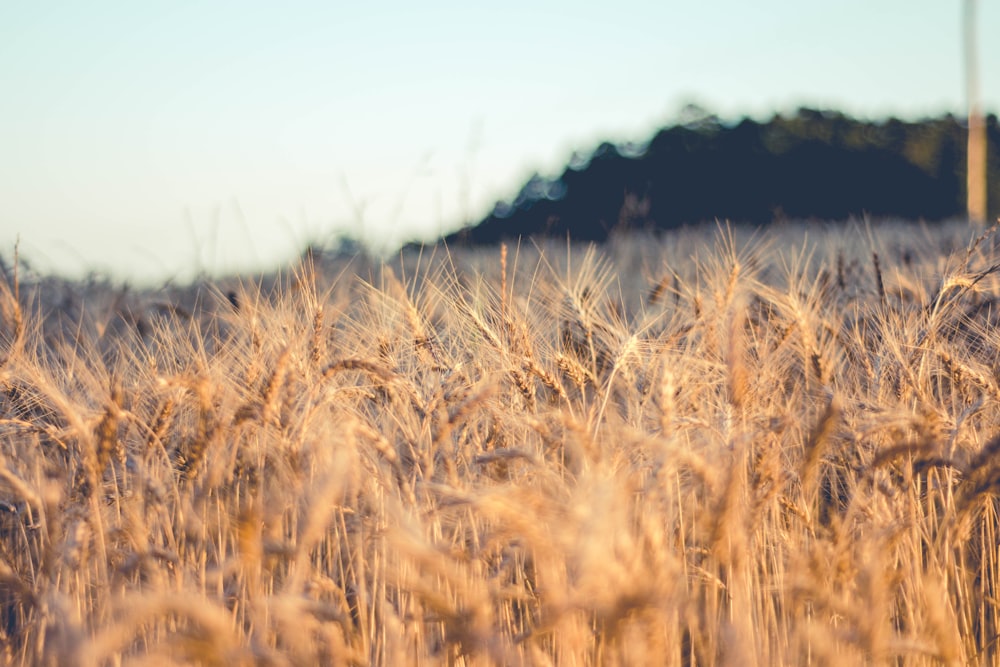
point(714, 447)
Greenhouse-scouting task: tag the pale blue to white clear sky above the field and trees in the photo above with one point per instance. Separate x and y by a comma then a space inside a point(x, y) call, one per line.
point(156, 139)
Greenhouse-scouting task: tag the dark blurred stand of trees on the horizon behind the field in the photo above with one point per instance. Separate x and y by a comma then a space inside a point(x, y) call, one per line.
point(812, 164)
